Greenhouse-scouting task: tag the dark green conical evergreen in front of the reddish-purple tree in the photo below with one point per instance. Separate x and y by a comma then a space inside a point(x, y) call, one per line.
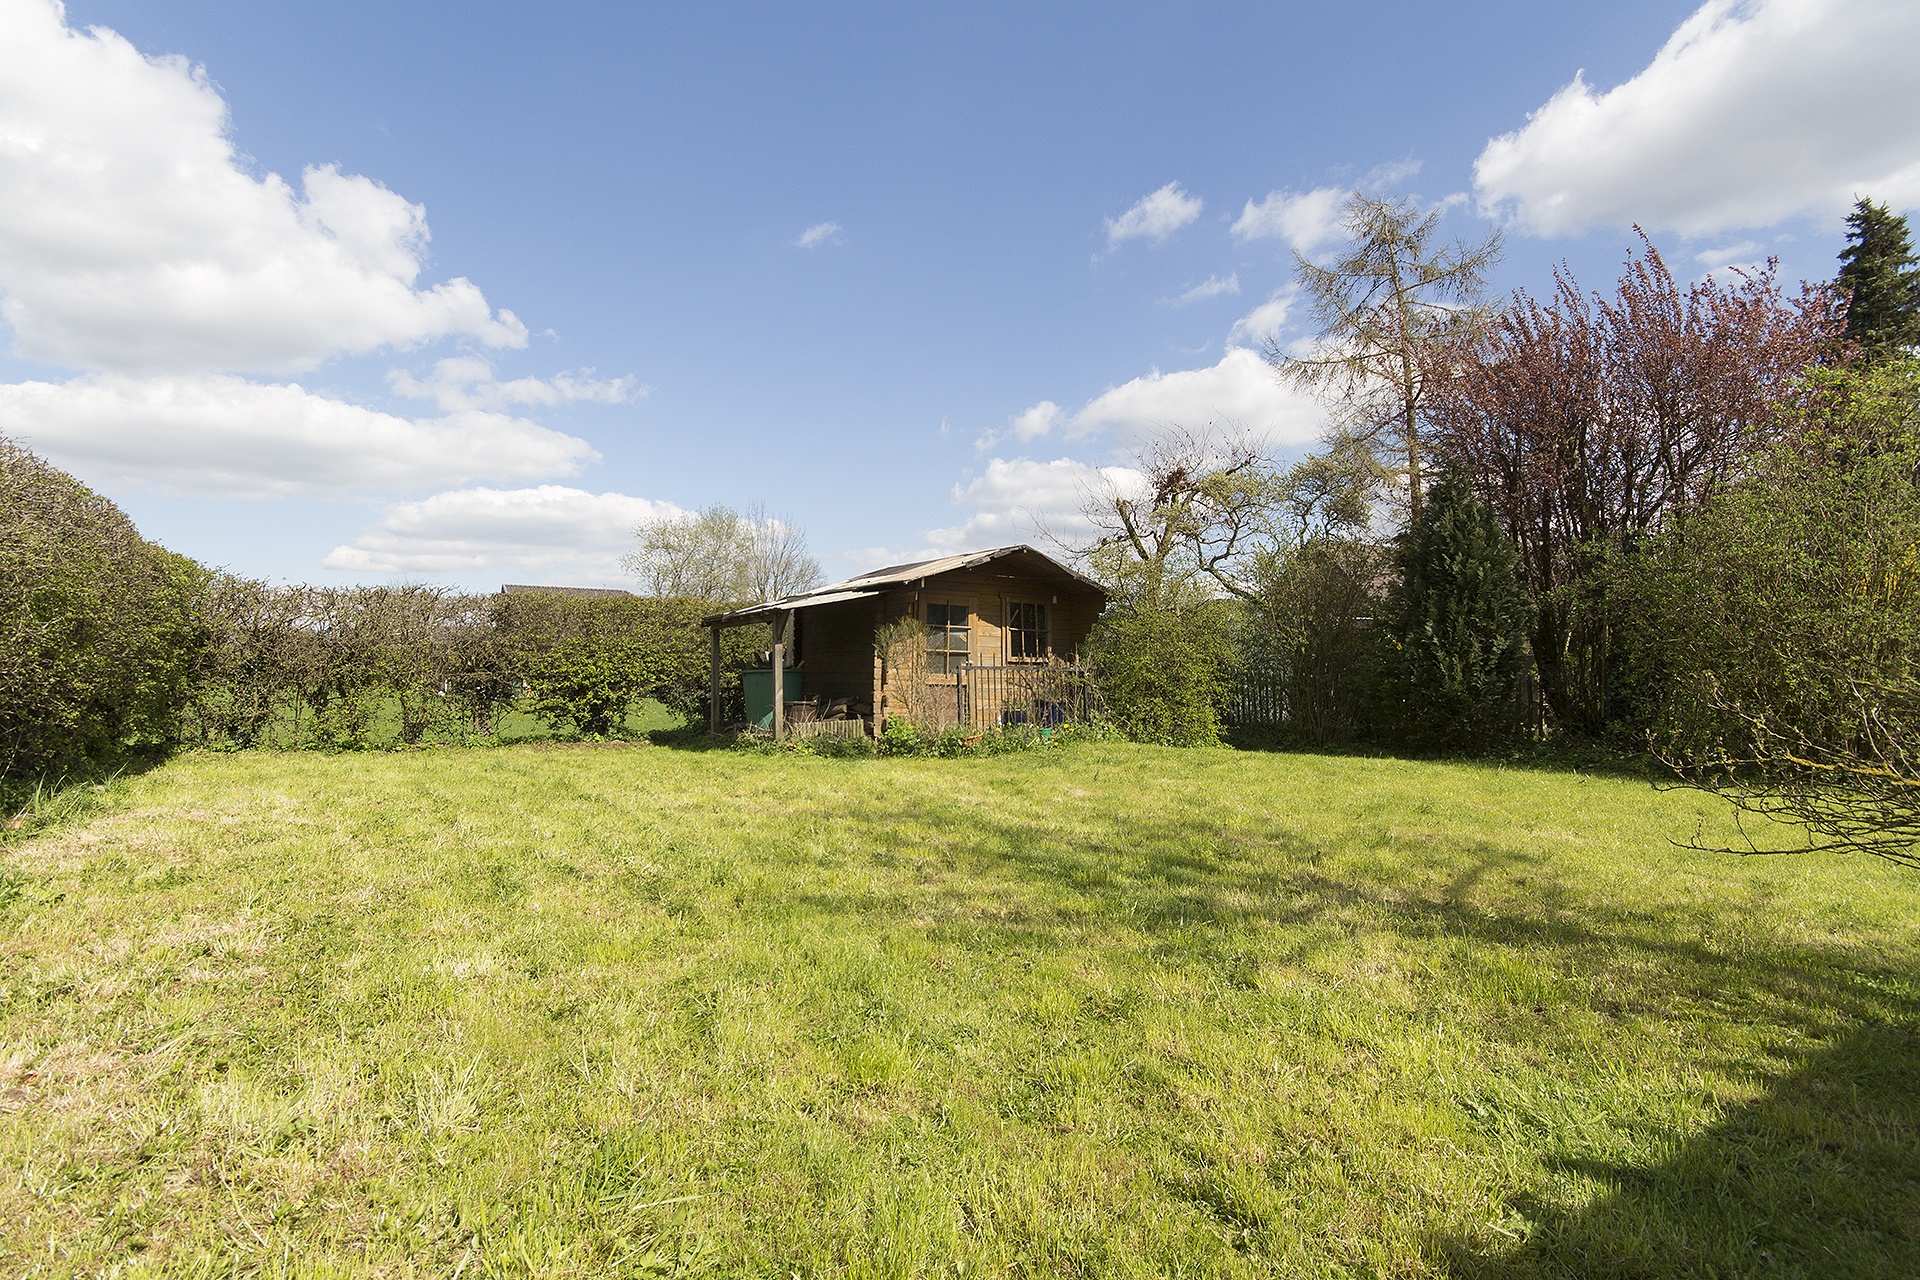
point(1460, 619)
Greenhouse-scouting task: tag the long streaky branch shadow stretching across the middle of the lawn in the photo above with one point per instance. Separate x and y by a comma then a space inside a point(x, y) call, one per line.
point(1172, 874)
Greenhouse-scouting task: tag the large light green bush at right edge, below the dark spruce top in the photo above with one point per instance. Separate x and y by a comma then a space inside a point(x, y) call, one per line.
point(1785, 621)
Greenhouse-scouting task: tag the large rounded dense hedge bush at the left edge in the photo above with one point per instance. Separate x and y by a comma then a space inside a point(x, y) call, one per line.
point(97, 627)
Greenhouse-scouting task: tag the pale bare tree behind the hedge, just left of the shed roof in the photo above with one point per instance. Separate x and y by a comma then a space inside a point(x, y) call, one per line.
point(723, 556)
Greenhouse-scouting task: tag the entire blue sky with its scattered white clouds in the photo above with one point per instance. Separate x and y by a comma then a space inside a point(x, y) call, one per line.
point(291, 381)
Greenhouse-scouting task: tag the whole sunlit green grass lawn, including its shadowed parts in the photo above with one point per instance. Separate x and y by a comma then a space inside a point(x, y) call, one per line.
point(1105, 1010)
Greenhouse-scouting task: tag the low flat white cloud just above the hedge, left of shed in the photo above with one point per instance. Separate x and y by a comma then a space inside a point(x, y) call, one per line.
point(550, 533)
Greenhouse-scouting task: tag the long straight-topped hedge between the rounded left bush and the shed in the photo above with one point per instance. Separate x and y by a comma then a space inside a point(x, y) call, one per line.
point(360, 667)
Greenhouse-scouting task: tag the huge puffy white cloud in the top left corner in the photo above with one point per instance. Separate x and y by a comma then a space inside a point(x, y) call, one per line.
point(133, 239)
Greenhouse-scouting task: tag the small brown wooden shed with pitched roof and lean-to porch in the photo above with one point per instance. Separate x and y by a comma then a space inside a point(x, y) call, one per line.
point(997, 621)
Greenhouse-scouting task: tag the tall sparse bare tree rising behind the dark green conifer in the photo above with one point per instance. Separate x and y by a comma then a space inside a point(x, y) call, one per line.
point(1389, 314)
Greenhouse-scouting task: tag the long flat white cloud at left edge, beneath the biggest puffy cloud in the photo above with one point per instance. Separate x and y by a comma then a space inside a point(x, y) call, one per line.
point(218, 435)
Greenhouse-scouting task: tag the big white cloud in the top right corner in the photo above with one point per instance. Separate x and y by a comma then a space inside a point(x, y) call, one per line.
point(1752, 114)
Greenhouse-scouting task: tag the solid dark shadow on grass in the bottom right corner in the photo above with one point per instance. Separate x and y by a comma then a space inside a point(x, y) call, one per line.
point(1821, 1177)
